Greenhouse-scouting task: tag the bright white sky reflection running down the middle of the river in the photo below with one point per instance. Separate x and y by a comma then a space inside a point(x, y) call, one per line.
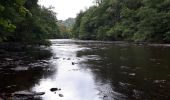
point(75, 82)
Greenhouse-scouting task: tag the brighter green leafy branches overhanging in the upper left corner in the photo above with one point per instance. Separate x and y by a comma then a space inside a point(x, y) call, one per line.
point(11, 12)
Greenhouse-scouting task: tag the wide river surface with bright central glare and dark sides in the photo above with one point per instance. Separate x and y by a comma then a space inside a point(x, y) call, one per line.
point(93, 70)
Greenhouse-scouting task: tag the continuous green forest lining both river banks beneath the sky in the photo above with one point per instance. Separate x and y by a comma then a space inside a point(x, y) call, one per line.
point(27, 22)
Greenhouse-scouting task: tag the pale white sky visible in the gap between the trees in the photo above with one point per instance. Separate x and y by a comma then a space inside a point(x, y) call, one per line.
point(67, 8)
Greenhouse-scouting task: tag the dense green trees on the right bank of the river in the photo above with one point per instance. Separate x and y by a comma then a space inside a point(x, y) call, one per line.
point(131, 20)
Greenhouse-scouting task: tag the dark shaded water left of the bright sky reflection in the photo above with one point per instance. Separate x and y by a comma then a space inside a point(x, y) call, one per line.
point(18, 63)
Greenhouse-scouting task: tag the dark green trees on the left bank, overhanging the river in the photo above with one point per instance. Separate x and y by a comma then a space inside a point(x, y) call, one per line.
point(27, 22)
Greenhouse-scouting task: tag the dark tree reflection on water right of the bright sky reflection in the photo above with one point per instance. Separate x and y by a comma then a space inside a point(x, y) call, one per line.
point(131, 70)
